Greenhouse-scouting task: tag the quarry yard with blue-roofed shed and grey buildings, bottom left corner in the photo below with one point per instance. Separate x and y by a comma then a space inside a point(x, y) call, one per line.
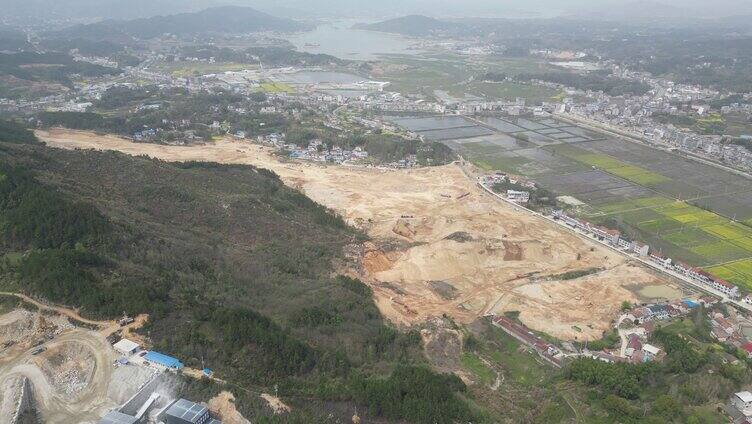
point(53, 370)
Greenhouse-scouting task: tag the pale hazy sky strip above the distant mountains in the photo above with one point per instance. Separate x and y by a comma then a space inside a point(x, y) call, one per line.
point(383, 8)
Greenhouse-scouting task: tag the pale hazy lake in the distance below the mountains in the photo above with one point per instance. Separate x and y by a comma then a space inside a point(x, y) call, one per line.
point(340, 40)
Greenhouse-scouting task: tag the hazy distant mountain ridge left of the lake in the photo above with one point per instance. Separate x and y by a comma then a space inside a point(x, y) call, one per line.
point(226, 19)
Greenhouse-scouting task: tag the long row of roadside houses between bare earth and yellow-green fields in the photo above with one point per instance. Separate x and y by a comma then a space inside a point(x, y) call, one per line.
point(615, 239)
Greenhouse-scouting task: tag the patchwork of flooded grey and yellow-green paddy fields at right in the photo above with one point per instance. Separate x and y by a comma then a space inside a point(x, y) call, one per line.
point(692, 212)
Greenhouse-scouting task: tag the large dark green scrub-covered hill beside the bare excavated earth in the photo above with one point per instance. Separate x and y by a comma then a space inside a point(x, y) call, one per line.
point(235, 269)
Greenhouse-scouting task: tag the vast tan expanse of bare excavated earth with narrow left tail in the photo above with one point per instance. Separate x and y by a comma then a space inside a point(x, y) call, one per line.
point(440, 244)
